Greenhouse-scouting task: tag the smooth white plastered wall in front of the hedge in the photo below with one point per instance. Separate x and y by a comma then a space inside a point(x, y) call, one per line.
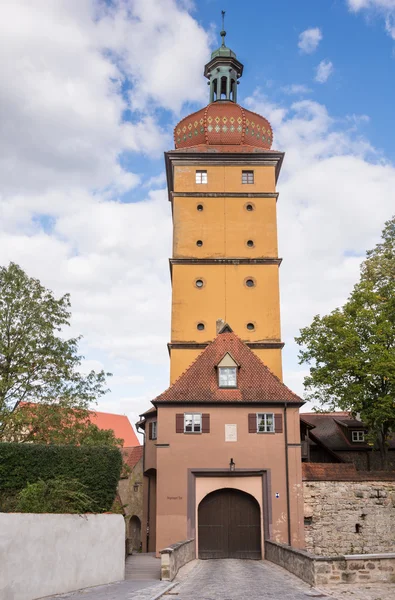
point(42, 554)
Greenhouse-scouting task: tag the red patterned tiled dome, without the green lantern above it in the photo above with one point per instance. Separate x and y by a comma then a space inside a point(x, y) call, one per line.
point(223, 123)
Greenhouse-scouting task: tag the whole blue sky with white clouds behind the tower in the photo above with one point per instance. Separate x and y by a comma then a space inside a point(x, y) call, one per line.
point(90, 93)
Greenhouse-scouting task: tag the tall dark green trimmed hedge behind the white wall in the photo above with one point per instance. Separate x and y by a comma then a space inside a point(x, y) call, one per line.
point(97, 468)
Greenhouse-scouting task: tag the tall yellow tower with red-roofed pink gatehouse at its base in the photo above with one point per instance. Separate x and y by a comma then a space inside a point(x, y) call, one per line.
point(222, 453)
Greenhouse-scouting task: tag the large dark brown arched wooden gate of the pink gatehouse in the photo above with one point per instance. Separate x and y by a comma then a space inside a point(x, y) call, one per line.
point(229, 525)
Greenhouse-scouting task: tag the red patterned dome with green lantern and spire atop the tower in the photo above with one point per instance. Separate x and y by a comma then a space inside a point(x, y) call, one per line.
point(224, 123)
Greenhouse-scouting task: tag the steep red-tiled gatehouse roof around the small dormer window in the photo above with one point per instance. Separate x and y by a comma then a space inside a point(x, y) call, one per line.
point(256, 383)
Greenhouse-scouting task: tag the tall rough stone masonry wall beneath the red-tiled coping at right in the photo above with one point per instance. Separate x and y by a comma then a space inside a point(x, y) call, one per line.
point(348, 517)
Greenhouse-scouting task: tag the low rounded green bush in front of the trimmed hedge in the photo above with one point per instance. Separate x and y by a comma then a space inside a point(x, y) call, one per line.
point(59, 495)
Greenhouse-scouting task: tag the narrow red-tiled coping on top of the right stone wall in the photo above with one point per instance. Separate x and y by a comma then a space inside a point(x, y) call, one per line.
point(342, 472)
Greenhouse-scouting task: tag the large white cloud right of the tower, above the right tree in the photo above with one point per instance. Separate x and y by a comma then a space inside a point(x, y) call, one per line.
point(336, 192)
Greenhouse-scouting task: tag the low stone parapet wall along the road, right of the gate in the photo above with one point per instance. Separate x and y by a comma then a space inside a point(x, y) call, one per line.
point(324, 570)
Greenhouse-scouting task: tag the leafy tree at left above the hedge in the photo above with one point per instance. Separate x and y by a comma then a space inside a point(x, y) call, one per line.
point(43, 395)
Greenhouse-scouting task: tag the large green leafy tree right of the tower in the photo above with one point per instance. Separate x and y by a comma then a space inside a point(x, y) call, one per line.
point(351, 351)
